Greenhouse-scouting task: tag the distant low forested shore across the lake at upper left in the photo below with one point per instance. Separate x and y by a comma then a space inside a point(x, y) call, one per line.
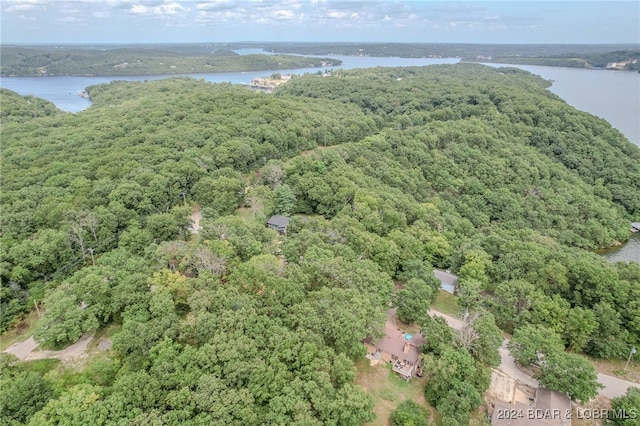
point(84, 61)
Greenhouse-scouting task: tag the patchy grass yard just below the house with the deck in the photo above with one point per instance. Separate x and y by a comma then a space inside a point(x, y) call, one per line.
point(387, 389)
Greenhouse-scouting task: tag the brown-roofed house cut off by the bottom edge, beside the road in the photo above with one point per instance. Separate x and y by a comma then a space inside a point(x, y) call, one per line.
point(549, 408)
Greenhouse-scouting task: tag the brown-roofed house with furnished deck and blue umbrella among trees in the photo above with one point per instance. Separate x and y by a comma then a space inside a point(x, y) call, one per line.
point(400, 349)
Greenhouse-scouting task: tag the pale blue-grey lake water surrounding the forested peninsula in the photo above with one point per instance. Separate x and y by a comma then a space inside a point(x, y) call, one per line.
point(612, 95)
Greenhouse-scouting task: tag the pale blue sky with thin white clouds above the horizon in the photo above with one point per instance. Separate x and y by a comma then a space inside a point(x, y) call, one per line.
point(164, 21)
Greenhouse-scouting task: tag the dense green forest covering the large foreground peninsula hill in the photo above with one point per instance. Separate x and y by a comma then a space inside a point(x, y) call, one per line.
point(386, 173)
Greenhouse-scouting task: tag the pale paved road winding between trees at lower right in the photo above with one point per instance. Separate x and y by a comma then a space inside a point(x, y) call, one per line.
point(613, 386)
